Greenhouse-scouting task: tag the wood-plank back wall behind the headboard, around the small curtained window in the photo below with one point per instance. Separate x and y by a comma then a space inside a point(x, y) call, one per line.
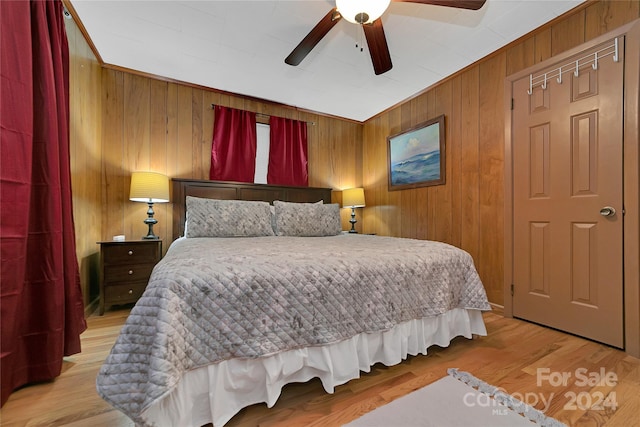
point(150, 124)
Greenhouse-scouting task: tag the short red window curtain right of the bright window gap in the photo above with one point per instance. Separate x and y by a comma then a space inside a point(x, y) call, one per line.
point(287, 152)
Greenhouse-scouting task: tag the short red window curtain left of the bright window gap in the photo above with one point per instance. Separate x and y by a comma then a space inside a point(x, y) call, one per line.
point(233, 151)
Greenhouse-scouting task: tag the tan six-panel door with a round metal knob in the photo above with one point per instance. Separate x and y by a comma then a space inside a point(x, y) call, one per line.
point(567, 166)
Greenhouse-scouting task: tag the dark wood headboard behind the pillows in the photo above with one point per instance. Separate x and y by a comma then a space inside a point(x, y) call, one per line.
point(226, 190)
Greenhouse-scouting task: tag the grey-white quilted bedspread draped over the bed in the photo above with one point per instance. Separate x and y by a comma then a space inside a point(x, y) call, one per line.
point(212, 299)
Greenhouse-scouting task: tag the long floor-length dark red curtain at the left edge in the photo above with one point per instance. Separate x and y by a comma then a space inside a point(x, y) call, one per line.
point(41, 309)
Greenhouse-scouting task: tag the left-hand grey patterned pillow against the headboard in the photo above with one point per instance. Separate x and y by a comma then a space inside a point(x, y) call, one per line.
point(227, 218)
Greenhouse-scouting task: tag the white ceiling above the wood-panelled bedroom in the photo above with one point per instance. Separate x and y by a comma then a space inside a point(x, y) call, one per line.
point(240, 46)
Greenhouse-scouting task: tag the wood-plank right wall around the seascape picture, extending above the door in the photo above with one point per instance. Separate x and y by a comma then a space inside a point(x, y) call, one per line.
point(468, 211)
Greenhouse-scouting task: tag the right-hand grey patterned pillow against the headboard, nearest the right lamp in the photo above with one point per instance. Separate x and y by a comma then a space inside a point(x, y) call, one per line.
point(307, 219)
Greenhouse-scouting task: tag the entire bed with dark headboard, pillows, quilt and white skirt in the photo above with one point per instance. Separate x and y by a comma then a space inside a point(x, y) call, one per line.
point(261, 288)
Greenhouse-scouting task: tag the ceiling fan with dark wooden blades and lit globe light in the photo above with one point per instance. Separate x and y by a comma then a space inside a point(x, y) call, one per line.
point(366, 13)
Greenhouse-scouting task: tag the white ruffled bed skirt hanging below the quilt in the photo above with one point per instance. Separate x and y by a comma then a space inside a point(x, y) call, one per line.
point(215, 393)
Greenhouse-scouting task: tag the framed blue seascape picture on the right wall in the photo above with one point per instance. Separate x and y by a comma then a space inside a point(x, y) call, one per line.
point(416, 157)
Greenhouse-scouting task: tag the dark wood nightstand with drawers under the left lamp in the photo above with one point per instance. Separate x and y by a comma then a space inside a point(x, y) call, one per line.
point(125, 268)
